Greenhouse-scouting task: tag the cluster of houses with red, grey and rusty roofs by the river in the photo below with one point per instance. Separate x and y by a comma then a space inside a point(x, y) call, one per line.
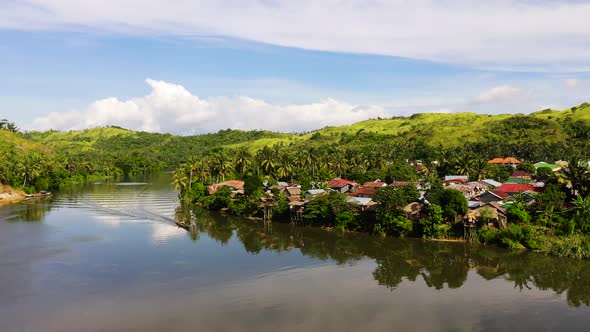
point(481, 195)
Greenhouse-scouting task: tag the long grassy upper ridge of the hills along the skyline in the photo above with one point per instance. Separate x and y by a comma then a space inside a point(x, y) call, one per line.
point(435, 129)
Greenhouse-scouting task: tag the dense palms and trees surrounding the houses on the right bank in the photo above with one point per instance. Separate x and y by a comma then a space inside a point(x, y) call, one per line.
point(557, 221)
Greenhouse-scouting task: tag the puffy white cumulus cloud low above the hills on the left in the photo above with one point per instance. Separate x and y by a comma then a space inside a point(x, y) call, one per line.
point(172, 108)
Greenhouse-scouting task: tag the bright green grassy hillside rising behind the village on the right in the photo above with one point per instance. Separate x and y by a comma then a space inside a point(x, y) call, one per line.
point(450, 130)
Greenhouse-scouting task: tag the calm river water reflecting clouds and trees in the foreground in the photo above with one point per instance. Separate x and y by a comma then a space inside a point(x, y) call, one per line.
point(108, 257)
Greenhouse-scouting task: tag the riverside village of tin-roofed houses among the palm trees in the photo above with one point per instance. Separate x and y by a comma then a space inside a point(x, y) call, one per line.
point(487, 199)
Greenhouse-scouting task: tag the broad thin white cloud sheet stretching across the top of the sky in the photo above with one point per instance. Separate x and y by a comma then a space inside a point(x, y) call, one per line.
point(544, 35)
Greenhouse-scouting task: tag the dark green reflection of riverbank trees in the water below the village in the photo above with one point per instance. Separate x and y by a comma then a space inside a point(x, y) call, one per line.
point(439, 264)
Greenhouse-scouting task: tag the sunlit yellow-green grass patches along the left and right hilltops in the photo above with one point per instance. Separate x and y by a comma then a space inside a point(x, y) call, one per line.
point(450, 130)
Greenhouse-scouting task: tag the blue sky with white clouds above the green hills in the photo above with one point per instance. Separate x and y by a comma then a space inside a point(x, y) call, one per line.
point(191, 67)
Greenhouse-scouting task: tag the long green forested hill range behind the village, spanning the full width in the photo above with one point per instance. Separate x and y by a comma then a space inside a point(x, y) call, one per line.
point(39, 158)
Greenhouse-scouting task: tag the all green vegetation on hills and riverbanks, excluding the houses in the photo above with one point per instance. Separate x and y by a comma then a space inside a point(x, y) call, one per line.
point(387, 149)
